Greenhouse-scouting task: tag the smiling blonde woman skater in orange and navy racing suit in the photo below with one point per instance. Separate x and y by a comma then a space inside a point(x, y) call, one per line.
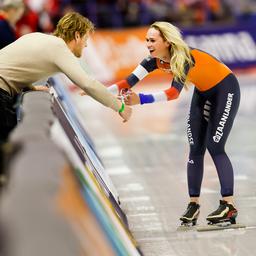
point(213, 108)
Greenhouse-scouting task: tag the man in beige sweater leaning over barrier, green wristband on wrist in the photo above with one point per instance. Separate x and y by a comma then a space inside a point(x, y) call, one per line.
point(36, 56)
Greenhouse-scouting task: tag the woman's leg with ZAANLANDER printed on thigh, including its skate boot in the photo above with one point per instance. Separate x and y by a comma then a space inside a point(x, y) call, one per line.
point(226, 102)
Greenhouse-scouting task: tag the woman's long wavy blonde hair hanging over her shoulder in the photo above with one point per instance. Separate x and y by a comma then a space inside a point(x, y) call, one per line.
point(179, 50)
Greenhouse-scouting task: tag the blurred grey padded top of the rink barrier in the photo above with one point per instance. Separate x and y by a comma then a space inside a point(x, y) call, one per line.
point(30, 224)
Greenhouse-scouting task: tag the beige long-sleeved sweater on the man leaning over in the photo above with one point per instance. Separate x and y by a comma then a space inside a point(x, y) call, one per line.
point(38, 56)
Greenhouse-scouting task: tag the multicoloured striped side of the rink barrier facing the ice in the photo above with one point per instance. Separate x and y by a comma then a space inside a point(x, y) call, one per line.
point(98, 189)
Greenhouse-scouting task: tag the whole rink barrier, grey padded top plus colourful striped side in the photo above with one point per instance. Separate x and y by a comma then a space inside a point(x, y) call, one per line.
point(52, 203)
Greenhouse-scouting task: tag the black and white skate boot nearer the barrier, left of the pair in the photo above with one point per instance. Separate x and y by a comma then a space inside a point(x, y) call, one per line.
point(191, 214)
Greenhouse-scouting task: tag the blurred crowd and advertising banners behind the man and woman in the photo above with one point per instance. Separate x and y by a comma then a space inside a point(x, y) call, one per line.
point(224, 28)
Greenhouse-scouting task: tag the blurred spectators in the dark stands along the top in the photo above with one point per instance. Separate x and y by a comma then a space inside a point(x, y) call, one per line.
point(42, 15)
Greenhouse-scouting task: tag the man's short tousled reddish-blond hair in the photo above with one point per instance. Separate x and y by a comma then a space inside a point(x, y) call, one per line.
point(70, 23)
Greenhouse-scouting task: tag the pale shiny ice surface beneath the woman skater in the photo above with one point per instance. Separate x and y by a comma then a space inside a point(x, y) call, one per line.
point(146, 160)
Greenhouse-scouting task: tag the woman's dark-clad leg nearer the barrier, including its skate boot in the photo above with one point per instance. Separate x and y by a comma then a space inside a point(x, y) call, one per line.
point(196, 132)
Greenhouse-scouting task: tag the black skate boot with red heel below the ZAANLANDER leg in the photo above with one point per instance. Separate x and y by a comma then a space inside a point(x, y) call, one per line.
point(226, 213)
